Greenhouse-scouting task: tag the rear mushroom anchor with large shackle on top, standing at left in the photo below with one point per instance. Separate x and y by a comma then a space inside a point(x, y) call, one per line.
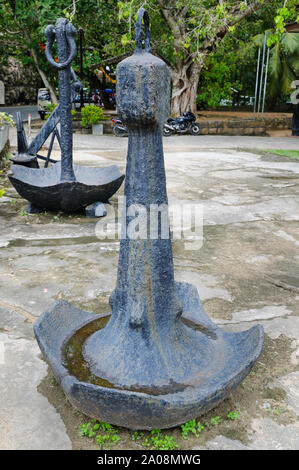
point(62, 186)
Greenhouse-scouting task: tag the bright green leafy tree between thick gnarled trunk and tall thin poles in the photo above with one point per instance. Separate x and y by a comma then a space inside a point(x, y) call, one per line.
point(230, 70)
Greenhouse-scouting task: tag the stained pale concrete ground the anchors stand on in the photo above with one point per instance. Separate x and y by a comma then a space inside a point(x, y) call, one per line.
point(246, 273)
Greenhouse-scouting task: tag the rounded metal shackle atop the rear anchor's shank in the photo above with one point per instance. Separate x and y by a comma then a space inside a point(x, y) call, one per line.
point(64, 33)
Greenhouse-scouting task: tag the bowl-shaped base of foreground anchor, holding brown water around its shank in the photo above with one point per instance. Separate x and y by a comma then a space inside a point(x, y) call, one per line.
point(224, 359)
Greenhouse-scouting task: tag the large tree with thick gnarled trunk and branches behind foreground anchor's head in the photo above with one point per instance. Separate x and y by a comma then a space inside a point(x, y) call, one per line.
point(185, 34)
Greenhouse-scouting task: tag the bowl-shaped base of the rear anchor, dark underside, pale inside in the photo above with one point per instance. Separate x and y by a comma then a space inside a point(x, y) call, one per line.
point(43, 188)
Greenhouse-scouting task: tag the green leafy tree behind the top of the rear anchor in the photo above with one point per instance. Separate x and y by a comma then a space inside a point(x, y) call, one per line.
point(22, 25)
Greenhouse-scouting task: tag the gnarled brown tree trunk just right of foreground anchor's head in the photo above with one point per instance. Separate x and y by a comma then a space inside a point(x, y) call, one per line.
point(184, 91)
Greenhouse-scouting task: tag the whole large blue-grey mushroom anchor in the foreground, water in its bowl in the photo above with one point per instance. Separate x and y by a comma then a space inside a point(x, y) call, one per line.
point(157, 360)
